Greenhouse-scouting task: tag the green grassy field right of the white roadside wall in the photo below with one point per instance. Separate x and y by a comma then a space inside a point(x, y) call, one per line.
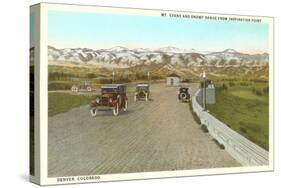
point(244, 109)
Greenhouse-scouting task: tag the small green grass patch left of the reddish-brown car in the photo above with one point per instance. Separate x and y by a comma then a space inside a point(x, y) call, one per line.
point(62, 102)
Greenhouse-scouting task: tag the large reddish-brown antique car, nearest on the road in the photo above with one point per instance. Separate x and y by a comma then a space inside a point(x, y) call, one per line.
point(113, 97)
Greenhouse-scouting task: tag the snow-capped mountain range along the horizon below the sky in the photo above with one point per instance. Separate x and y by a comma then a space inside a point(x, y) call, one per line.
point(124, 58)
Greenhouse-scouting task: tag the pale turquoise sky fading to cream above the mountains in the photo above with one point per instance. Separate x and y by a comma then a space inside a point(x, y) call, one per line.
point(102, 31)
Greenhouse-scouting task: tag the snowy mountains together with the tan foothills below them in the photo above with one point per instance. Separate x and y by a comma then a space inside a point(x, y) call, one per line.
point(227, 64)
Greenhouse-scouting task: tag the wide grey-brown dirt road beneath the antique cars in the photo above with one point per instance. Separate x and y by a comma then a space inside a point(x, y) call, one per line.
point(158, 135)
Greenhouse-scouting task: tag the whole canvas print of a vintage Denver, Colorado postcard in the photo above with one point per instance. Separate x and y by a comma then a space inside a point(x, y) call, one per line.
point(121, 93)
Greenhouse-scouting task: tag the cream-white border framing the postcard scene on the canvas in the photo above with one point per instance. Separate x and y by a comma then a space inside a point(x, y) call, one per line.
point(45, 180)
